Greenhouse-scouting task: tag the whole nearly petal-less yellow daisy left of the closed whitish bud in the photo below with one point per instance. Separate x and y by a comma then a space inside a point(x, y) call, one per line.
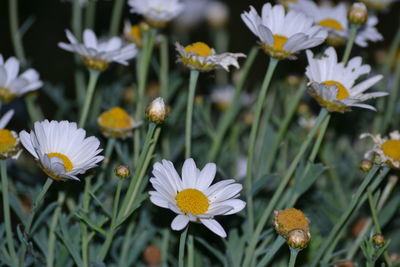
point(116, 122)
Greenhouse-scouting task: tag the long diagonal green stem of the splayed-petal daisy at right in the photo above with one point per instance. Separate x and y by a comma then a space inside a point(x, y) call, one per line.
point(278, 192)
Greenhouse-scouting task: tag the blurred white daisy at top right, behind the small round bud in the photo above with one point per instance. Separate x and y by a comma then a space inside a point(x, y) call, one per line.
point(334, 20)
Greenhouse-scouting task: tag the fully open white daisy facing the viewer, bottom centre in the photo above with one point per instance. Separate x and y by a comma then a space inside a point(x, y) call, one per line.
point(192, 197)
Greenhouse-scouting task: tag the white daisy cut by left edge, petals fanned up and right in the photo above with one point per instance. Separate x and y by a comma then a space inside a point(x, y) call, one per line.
point(13, 85)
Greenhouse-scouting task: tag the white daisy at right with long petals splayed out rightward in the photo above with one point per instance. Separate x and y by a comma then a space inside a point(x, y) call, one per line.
point(333, 85)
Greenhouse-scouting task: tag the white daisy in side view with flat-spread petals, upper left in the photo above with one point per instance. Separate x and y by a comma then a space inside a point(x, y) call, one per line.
point(97, 54)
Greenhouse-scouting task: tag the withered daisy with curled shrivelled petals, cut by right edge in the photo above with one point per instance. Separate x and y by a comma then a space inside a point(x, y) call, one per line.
point(386, 148)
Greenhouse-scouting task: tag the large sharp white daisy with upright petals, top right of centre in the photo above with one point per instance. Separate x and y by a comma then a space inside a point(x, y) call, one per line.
point(283, 34)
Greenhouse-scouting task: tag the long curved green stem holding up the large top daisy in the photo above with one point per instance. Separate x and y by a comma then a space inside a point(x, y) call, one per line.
point(253, 136)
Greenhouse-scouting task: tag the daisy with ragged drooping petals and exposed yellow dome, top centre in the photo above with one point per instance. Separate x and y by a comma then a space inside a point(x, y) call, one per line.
point(200, 56)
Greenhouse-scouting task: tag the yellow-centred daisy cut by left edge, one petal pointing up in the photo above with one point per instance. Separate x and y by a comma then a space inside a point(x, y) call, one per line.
point(9, 141)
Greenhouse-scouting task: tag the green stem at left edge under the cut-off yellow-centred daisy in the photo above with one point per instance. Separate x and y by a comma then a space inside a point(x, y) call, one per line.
point(6, 211)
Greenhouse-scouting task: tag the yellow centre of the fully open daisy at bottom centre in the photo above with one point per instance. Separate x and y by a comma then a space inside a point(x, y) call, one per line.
point(192, 201)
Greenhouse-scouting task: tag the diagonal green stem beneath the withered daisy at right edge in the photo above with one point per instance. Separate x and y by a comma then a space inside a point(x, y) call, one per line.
point(343, 219)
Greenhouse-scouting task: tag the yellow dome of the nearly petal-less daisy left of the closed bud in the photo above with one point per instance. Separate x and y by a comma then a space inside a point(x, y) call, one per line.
point(115, 118)
